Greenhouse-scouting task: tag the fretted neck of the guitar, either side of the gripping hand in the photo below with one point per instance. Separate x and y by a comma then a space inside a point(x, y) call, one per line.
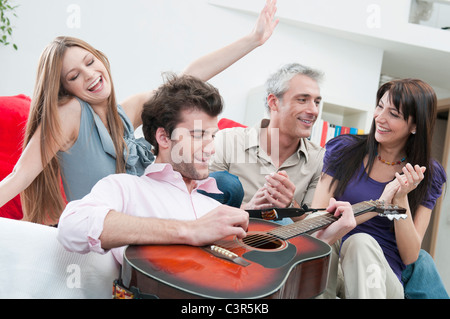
point(310, 225)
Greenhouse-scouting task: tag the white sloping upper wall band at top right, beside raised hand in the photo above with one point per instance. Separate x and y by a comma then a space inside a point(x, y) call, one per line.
point(382, 19)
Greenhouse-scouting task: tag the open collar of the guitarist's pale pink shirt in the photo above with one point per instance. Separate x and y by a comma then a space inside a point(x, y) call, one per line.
point(165, 172)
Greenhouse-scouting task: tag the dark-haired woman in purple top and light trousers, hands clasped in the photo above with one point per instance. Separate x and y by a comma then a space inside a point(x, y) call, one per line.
point(393, 163)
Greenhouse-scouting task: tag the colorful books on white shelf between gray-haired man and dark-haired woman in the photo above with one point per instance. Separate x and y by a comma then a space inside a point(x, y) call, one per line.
point(323, 131)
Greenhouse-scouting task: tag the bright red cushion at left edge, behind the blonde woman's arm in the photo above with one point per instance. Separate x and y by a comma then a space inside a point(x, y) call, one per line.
point(13, 117)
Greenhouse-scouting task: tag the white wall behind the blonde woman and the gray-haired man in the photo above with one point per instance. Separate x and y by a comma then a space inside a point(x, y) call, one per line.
point(143, 38)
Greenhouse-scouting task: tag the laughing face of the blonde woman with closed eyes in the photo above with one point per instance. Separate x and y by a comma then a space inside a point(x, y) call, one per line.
point(85, 76)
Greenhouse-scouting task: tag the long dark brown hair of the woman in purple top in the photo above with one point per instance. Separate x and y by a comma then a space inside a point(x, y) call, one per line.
point(413, 98)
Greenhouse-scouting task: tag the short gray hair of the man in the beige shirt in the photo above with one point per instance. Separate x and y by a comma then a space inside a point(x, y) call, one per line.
point(278, 83)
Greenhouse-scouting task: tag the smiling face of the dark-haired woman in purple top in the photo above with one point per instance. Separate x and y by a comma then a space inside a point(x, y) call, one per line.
point(390, 126)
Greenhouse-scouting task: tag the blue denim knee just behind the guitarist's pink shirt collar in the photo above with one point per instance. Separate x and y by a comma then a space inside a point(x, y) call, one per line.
point(230, 186)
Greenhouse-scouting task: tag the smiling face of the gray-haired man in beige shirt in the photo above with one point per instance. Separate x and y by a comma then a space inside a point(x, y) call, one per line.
point(298, 109)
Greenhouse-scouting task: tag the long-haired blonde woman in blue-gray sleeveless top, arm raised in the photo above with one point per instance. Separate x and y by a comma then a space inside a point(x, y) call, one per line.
point(76, 129)
